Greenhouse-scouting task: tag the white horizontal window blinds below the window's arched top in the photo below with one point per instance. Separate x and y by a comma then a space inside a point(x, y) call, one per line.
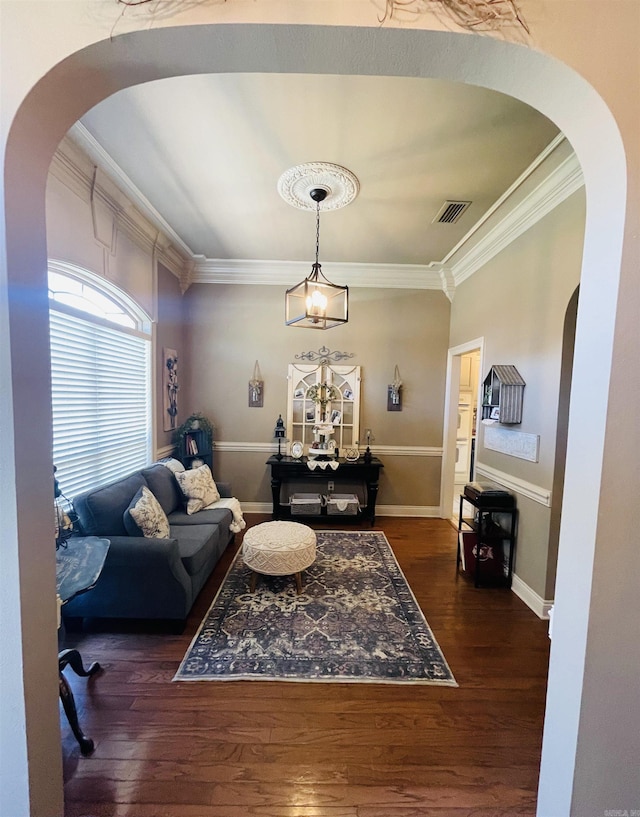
point(101, 395)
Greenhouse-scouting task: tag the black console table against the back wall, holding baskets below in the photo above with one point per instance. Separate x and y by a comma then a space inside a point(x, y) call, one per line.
point(290, 470)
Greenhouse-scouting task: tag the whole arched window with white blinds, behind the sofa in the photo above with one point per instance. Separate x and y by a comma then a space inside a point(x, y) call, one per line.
point(100, 379)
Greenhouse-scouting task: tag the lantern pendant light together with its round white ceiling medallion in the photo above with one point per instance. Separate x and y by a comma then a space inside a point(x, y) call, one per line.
point(316, 303)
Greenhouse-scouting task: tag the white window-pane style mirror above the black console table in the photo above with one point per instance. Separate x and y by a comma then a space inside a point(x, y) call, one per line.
point(323, 395)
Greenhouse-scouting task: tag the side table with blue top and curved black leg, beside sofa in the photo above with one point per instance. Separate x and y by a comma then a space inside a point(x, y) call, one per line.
point(78, 566)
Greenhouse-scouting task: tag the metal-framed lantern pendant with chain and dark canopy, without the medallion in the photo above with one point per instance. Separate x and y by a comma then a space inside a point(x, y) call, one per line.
point(316, 303)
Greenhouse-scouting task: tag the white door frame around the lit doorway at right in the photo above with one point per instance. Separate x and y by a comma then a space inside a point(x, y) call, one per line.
point(450, 422)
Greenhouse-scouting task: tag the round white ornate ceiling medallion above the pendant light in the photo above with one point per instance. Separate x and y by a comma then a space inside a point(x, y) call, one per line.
point(340, 185)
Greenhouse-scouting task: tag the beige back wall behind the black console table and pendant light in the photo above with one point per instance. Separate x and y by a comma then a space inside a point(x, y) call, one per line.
point(230, 327)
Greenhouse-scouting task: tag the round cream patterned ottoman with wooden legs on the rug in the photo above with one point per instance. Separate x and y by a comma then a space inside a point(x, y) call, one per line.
point(279, 549)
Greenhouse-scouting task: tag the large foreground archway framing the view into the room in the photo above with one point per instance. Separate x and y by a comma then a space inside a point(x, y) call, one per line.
point(87, 77)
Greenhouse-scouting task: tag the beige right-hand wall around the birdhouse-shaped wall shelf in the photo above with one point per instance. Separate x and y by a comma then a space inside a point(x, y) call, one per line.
point(518, 302)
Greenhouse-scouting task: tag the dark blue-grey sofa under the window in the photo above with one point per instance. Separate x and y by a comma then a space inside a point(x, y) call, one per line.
point(147, 578)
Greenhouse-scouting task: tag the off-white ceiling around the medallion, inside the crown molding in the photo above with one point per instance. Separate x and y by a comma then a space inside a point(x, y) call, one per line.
point(207, 152)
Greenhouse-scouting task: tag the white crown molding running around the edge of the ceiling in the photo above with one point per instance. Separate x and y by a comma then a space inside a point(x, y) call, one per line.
point(445, 275)
